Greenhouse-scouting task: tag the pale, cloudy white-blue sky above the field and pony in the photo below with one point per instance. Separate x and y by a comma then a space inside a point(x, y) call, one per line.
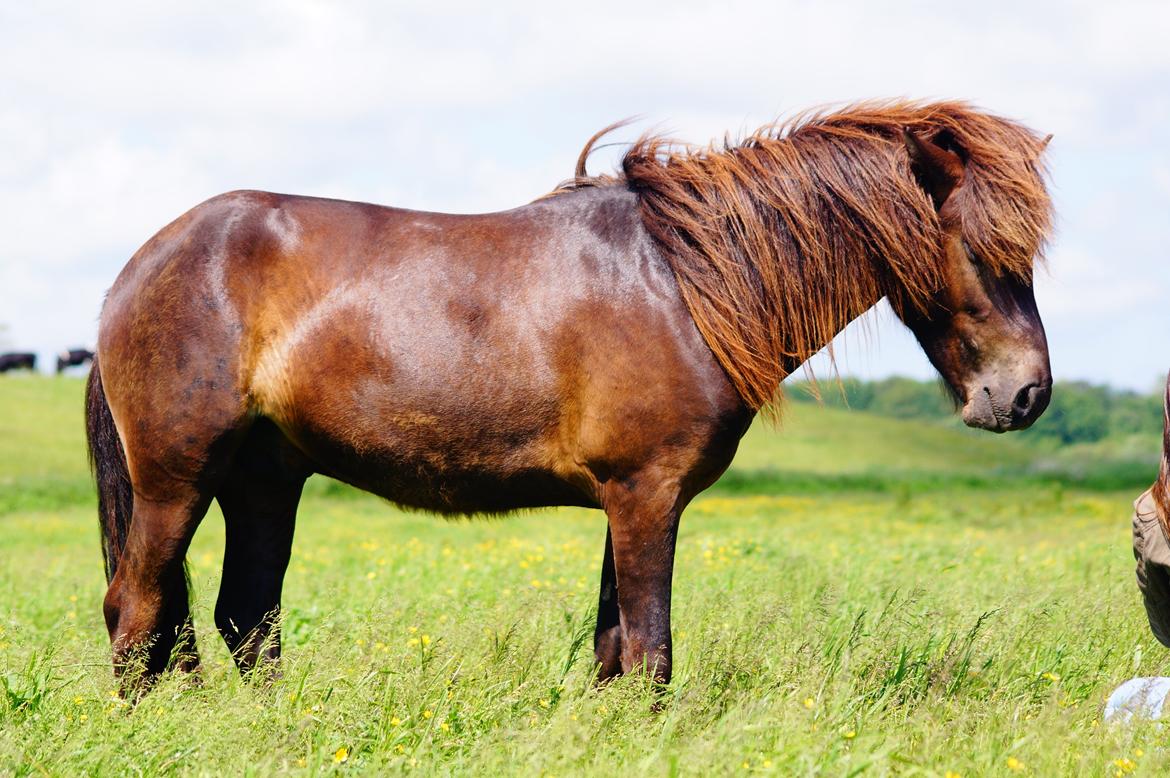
point(118, 118)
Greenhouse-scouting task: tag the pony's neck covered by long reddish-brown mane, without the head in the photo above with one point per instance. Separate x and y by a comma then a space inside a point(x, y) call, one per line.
point(780, 244)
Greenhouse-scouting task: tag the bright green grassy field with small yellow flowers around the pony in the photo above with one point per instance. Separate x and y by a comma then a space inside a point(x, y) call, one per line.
point(859, 596)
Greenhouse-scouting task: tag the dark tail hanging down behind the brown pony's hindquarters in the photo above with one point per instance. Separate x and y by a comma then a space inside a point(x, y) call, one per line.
point(108, 462)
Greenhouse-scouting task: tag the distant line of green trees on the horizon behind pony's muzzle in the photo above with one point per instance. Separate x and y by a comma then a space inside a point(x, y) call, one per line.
point(1080, 412)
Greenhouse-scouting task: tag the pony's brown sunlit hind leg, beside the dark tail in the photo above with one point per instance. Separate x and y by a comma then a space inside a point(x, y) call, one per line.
point(178, 445)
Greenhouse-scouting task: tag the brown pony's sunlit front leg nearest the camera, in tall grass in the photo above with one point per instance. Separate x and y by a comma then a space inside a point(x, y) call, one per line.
point(644, 524)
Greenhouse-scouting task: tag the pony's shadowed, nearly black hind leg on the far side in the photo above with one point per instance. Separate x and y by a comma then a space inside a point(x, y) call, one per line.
point(259, 500)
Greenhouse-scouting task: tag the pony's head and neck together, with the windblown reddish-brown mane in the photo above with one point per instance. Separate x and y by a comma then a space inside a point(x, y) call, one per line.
point(782, 239)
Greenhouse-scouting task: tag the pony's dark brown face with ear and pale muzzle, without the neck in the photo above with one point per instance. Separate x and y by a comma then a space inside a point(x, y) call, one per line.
point(981, 328)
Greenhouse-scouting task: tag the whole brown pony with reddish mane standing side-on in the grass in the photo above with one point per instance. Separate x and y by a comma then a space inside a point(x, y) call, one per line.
point(607, 346)
